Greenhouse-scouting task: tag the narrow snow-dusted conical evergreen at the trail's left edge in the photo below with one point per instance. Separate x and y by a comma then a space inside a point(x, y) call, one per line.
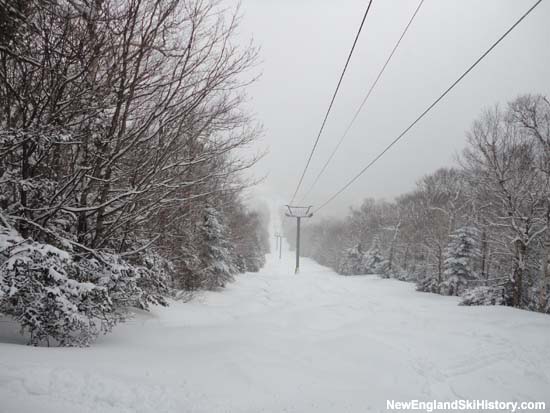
point(217, 264)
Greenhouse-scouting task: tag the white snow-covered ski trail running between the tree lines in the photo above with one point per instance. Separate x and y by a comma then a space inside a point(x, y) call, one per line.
point(276, 342)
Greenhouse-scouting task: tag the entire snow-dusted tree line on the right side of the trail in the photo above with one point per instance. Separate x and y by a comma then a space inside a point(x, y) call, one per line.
point(480, 230)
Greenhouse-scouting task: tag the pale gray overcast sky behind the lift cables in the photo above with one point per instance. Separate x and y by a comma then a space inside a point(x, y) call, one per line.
point(304, 44)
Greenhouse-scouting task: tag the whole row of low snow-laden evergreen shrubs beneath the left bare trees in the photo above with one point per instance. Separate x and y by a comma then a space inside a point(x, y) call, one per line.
point(63, 299)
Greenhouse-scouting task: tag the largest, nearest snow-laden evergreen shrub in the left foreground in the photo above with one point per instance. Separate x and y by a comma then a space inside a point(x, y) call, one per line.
point(40, 290)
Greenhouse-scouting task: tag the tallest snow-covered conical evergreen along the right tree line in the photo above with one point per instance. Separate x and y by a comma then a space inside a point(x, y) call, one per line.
point(461, 251)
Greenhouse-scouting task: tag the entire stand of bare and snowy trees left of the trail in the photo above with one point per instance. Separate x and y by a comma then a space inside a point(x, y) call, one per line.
point(120, 180)
